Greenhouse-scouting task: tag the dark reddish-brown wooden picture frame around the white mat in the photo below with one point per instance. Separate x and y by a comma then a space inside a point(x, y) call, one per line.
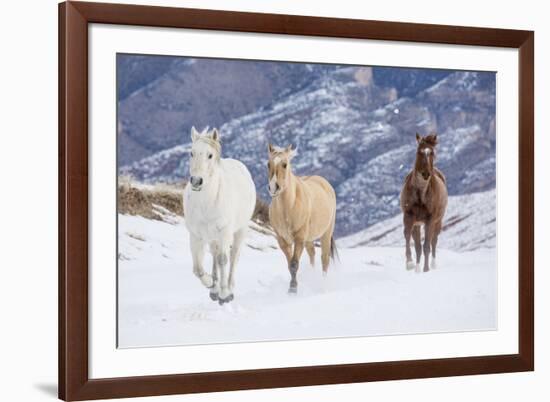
point(74, 381)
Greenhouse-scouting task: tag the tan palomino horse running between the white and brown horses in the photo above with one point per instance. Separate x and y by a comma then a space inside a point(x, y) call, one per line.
point(303, 209)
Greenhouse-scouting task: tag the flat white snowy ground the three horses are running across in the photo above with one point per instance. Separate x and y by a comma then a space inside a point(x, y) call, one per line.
point(367, 293)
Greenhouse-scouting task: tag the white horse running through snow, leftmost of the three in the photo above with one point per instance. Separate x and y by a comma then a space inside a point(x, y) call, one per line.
point(218, 204)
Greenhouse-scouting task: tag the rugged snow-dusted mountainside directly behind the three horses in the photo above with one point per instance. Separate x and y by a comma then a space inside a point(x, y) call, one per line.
point(361, 137)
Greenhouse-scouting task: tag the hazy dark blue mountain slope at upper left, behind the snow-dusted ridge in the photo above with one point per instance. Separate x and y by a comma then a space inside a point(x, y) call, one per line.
point(160, 98)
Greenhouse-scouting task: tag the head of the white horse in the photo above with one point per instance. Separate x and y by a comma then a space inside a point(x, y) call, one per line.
point(205, 157)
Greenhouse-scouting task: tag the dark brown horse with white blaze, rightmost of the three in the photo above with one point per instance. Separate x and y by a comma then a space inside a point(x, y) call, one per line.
point(423, 201)
